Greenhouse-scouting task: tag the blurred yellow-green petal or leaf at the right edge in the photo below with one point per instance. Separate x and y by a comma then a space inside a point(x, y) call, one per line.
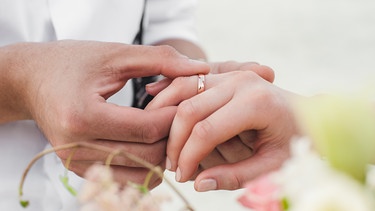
point(343, 131)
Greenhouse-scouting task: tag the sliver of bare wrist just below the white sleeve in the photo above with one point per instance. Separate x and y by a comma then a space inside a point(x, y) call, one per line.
point(185, 47)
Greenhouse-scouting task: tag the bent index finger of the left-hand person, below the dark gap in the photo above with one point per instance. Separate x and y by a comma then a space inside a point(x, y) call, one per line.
point(113, 122)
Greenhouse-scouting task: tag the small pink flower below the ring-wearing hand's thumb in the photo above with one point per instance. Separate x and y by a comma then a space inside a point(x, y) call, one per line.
point(261, 195)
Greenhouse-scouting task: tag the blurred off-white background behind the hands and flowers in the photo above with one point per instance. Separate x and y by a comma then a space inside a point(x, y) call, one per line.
point(314, 46)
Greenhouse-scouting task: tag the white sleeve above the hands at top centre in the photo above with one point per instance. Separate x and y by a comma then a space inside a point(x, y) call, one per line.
point(165, 19)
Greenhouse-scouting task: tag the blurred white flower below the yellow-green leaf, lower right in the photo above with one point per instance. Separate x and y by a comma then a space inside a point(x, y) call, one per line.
point(309, 183)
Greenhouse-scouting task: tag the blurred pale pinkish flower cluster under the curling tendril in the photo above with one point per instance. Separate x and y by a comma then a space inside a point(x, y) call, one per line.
point(102, 193)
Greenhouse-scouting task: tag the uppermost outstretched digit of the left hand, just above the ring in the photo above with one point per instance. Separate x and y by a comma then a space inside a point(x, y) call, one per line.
point(134, 61)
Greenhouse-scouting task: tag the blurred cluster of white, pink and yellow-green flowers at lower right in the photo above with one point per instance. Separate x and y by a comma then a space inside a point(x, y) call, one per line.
point(329, 169)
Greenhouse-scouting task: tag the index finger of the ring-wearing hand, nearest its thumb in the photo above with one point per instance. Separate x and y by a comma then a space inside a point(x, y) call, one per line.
point(207, 134)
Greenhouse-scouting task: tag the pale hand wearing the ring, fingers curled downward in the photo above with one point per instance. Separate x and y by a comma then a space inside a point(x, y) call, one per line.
point(238, 105)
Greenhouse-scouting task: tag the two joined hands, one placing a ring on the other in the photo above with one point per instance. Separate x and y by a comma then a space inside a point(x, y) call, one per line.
point(233, 131)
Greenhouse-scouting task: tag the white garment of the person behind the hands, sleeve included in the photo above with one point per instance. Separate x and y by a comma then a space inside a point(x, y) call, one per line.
point(48, 20)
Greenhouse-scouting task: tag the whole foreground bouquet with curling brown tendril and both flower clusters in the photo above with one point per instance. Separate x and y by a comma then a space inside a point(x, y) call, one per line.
point(329, 169)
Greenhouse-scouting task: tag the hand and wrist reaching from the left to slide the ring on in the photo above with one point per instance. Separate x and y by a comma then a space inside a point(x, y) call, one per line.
point(64, 85)
